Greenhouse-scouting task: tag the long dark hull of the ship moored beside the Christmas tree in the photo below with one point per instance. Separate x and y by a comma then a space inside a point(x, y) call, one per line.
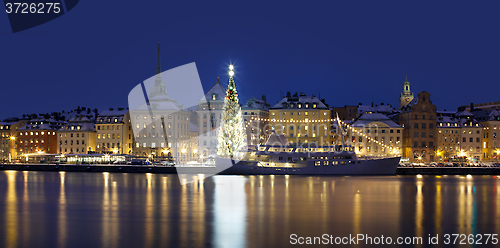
point(386, 166)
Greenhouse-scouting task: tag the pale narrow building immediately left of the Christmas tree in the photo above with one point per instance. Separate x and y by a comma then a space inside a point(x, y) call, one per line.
point(209, 114)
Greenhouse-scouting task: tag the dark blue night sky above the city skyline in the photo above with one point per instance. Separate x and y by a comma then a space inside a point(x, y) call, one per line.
point(350, 51)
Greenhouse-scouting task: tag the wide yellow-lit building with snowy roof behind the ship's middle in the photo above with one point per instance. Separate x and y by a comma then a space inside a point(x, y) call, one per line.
point(304, 120)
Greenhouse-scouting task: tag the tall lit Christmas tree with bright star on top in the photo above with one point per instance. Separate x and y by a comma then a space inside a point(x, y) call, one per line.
point(231, 138)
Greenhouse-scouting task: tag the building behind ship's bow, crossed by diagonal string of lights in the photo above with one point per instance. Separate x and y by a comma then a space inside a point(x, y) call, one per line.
point(371, 128)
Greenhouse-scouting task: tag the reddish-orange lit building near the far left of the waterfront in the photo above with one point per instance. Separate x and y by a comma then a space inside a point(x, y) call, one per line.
point(38, 136)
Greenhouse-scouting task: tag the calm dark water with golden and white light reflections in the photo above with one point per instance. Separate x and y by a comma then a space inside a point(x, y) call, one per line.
point(51, 209)
